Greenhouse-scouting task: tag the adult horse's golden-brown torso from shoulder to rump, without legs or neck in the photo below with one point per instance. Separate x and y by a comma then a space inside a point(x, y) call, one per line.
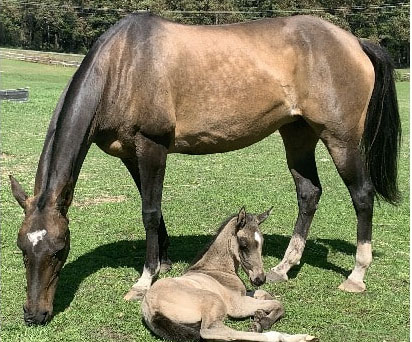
point(219, 88)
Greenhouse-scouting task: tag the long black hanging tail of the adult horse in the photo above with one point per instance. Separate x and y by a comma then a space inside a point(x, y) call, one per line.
point(382, 133)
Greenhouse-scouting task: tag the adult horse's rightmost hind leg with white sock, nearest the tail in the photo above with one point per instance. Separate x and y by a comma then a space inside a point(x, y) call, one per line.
point(352, 169)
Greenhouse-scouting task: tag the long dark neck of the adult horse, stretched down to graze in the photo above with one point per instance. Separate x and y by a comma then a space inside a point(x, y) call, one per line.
point(69, 135)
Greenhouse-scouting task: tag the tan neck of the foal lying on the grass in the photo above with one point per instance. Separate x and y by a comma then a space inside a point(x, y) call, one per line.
point(221, 255)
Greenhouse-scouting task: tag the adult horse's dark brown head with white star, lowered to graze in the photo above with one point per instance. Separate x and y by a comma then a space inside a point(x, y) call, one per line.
point(44, 239)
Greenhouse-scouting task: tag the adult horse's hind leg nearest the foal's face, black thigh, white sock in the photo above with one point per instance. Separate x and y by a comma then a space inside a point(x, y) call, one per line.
point(300, 141)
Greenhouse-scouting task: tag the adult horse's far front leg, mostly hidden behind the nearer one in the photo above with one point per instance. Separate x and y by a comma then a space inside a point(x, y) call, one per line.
point(165, 263)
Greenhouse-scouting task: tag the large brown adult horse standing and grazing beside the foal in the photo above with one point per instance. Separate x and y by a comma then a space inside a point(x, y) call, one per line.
point(149, 87)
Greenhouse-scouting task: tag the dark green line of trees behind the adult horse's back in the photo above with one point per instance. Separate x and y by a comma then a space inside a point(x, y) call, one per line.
point(73, 25)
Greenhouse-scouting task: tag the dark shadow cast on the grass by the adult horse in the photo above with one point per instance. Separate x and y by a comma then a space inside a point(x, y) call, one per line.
point(184, 248)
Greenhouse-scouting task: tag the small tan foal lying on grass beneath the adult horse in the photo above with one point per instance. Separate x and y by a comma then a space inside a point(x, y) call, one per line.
point(194, 305)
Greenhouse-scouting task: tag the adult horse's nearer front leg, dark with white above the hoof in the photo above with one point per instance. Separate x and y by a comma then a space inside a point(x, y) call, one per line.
point(151, 161)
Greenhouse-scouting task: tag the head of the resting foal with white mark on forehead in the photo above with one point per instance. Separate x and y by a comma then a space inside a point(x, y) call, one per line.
point(249, 245)
